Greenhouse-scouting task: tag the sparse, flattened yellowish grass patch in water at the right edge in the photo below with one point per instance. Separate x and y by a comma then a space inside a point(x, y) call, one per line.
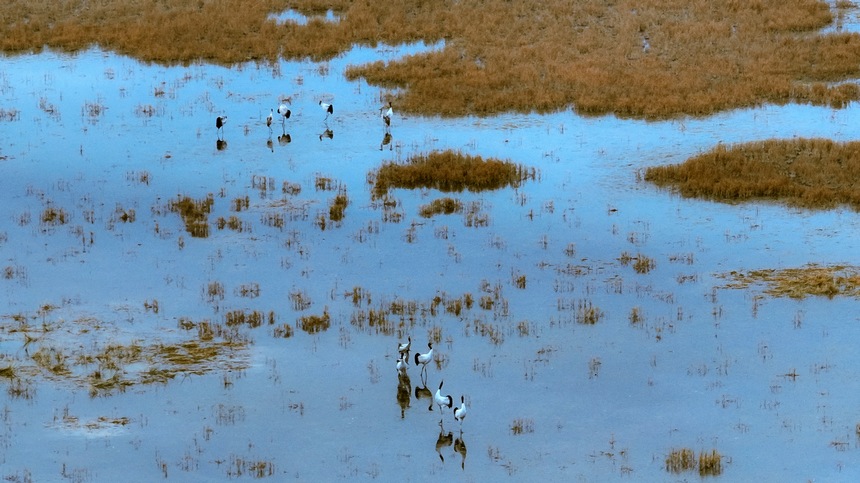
point(801, 282)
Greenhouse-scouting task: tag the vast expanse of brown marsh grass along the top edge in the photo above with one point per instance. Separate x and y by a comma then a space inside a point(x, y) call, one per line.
point(636, 58)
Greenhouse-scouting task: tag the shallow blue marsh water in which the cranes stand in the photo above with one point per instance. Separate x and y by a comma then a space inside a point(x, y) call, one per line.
point(769, 383)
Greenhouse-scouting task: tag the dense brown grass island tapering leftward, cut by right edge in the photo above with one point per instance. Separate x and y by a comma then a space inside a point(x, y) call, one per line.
point(810, 173)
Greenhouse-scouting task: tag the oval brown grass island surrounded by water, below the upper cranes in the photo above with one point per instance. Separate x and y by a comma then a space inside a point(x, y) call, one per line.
point(449, 171)
